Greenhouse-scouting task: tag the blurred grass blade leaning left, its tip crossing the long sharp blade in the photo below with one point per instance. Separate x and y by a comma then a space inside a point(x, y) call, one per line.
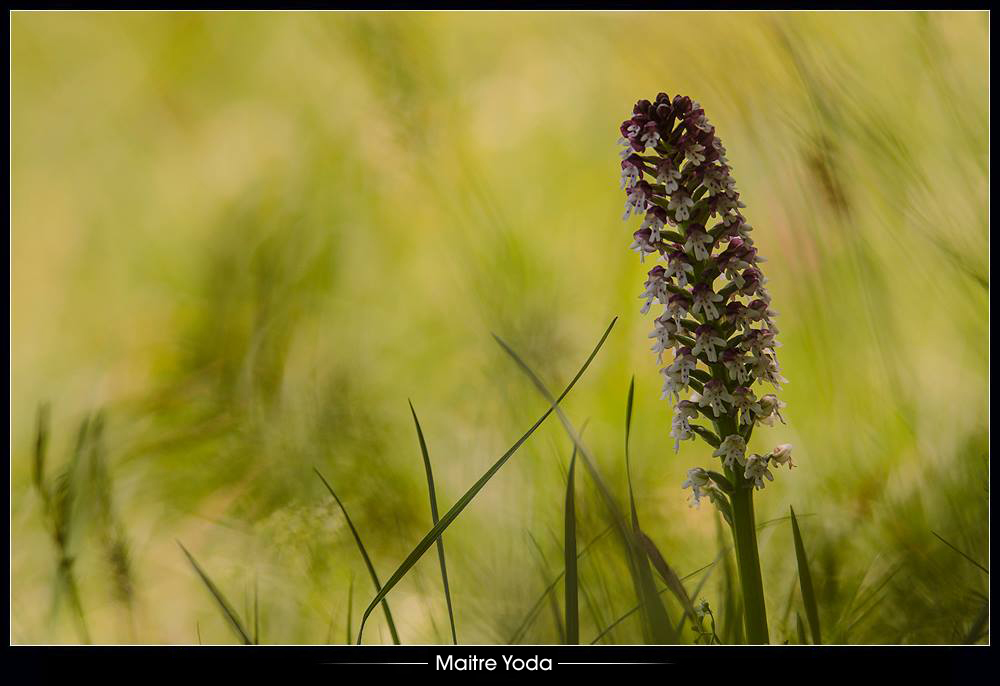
point(656, 623)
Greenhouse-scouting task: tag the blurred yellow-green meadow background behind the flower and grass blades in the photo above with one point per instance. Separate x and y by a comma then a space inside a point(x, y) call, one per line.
point(240, 243)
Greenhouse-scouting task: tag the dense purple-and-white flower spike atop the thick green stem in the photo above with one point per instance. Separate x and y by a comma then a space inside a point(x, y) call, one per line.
point(717, 318)
